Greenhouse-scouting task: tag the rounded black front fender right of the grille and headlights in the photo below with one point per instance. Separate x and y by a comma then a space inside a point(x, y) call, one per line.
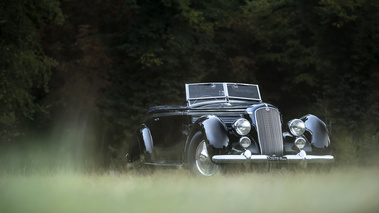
point(317, 128)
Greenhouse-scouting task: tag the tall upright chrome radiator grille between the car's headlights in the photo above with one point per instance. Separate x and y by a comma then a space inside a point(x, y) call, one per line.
point(269, 130)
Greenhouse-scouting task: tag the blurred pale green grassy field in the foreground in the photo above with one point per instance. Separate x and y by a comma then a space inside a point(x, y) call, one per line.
point(341, 190)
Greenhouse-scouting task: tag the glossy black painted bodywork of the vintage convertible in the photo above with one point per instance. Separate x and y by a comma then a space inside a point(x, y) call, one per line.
point(166, 133)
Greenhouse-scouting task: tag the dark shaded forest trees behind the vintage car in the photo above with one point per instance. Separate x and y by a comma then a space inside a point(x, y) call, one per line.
point(77, 77)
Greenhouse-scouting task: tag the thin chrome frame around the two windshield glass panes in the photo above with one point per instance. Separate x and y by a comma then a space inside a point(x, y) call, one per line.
point(225, 98)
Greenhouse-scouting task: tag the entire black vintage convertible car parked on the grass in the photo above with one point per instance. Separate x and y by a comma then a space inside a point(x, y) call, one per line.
point(227, 124)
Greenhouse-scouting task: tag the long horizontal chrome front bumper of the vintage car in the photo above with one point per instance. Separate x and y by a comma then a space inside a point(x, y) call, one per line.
point(286, 159)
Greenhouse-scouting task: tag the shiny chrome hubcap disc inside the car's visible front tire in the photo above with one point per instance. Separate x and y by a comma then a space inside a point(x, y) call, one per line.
point(203, 163)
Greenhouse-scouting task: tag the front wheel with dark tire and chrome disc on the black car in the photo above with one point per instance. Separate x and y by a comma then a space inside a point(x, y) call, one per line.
point(199, 161)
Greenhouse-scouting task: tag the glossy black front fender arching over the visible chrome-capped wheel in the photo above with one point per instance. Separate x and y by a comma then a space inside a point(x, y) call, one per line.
point(213, 129)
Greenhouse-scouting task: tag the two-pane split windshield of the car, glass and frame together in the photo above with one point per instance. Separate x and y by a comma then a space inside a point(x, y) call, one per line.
point(221, 92)
